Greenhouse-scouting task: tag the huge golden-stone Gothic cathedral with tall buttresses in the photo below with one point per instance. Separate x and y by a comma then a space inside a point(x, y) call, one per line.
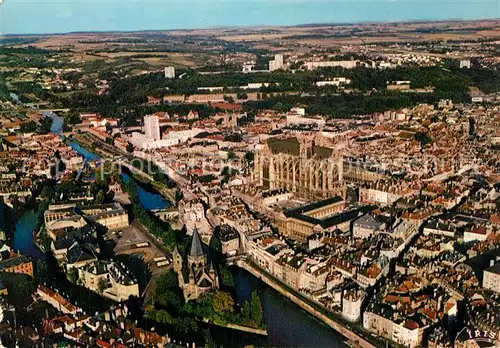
point(300, 166)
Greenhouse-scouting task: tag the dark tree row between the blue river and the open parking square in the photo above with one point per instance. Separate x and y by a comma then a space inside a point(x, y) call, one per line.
point(155, 226)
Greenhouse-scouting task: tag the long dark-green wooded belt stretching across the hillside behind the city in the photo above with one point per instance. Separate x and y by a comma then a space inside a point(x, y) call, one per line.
point(127, 95)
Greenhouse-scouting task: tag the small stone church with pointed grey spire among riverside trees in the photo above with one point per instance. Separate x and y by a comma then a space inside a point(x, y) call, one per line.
point(195, 272)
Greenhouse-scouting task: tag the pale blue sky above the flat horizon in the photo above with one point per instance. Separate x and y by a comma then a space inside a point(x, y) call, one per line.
point(59, 16)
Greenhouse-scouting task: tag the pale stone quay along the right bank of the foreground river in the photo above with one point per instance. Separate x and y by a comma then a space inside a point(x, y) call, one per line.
point(354, 338)
